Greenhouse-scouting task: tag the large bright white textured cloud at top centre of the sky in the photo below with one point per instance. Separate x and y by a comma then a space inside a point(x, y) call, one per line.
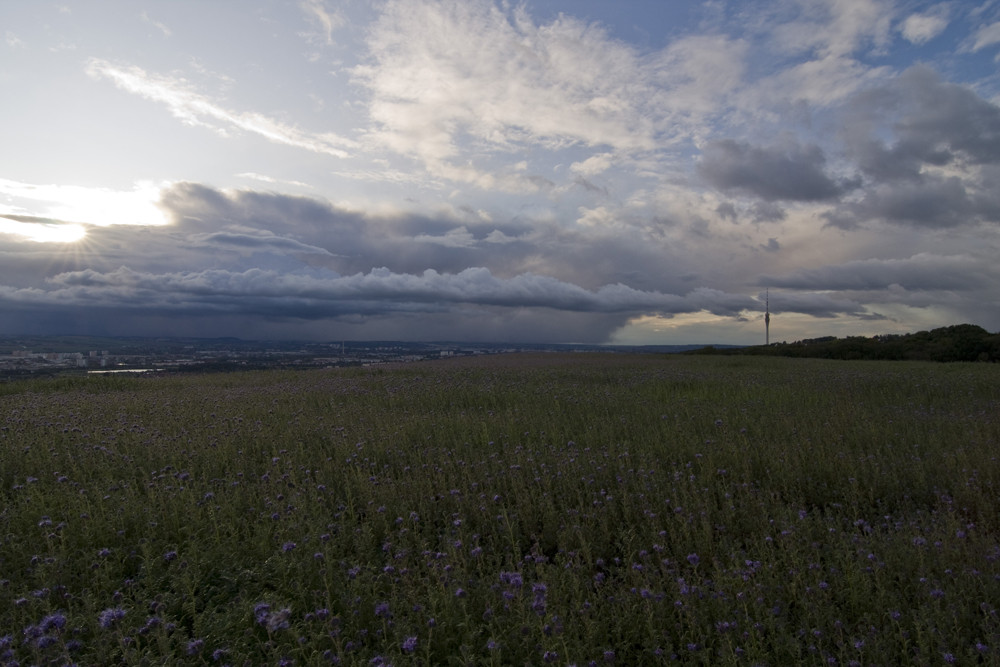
point(447, 77)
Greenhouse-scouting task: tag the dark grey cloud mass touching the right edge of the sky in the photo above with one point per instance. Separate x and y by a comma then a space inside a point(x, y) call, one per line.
point(929, 151)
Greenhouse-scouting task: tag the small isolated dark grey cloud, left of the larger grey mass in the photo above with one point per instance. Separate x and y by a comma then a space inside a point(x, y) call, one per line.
point(789, 171)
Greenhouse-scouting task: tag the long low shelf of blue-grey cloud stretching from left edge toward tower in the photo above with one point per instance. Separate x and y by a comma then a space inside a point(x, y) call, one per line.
point(317, 294)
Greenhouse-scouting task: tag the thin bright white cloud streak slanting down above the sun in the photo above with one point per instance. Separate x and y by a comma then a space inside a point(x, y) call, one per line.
point(196, 110)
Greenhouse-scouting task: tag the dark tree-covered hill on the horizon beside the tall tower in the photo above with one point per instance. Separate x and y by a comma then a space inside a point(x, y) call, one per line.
point(960, 342)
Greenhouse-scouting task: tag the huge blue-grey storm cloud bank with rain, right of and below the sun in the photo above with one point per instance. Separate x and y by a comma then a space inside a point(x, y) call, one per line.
point(303, 261)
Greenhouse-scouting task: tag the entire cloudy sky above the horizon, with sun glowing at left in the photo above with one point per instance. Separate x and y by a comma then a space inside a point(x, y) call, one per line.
point(637, 171)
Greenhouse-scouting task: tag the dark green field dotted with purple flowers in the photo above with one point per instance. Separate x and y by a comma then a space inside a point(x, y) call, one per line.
point(517, 509)
